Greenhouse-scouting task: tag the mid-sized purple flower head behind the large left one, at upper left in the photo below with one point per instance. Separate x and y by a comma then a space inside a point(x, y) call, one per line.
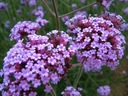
point(23, 28)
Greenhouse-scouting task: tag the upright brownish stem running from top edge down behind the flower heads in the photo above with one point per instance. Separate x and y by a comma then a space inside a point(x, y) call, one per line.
point(57, 15)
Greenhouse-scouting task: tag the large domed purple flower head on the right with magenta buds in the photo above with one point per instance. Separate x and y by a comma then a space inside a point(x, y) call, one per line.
point(98, 40)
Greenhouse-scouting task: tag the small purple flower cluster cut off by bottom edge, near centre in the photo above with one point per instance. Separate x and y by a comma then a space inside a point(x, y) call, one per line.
point(71, 91)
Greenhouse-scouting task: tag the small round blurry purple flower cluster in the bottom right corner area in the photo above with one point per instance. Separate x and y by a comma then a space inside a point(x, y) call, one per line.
point(104, 90)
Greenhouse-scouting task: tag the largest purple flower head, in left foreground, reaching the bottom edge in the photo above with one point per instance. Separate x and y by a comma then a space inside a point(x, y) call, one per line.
point(41, 61)
